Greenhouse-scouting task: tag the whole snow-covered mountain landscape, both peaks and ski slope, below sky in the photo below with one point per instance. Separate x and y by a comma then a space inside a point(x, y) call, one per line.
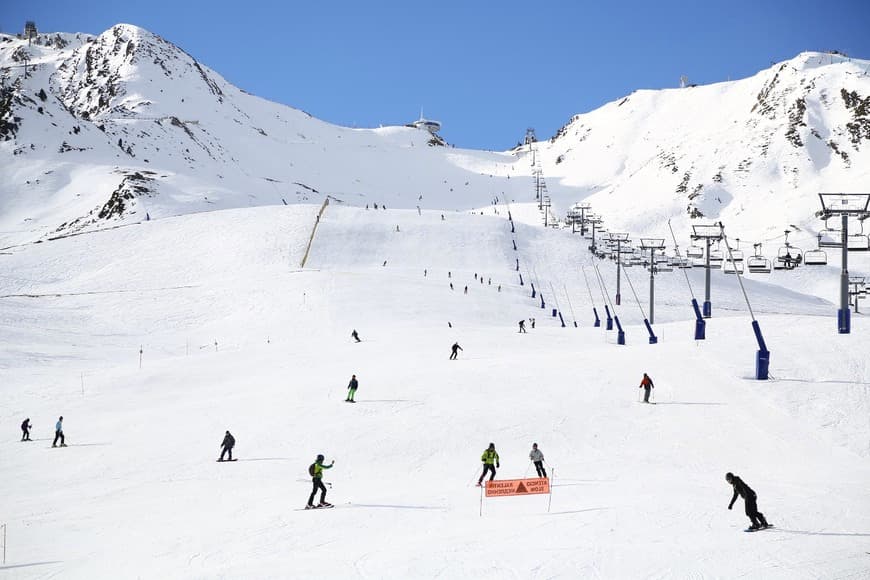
point(152, 340)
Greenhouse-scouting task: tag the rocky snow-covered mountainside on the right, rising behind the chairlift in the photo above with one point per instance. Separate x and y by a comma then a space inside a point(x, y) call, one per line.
point(753, 153)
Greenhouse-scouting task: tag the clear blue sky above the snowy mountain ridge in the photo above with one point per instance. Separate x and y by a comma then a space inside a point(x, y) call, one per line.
point(486, 70)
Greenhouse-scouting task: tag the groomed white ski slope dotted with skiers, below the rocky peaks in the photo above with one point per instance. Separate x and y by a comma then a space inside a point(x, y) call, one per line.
point(235, 335)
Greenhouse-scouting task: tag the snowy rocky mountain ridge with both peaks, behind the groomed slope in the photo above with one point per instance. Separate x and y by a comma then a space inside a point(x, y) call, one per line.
point(113, 127)
